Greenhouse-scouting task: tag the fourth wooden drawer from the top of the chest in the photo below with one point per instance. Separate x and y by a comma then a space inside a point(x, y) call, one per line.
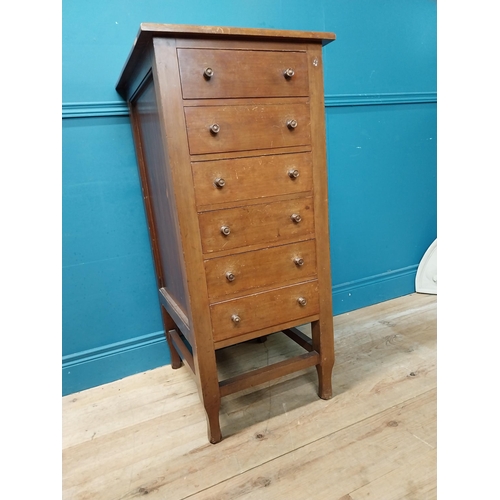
point(263, 224)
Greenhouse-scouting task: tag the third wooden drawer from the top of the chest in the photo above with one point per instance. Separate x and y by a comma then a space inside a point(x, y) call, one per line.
point(239, 179)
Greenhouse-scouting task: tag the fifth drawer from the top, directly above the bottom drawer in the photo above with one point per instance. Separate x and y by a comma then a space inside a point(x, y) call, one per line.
point(268, 267)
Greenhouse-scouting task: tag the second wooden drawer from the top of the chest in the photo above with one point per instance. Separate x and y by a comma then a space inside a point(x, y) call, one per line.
point(215, 129)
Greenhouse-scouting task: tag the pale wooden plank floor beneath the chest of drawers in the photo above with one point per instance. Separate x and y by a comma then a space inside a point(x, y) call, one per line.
point(376, 439)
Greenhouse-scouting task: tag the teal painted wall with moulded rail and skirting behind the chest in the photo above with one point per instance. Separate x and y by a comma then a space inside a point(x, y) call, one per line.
point(380, 96)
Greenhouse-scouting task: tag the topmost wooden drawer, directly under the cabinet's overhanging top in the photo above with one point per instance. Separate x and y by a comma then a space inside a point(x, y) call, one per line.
point(212, 73)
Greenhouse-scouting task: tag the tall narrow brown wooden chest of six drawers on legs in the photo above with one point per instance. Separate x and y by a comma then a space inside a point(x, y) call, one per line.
point(229, 130)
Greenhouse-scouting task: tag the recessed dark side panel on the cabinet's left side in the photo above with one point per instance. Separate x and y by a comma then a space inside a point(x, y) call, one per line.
point(156, 187)
